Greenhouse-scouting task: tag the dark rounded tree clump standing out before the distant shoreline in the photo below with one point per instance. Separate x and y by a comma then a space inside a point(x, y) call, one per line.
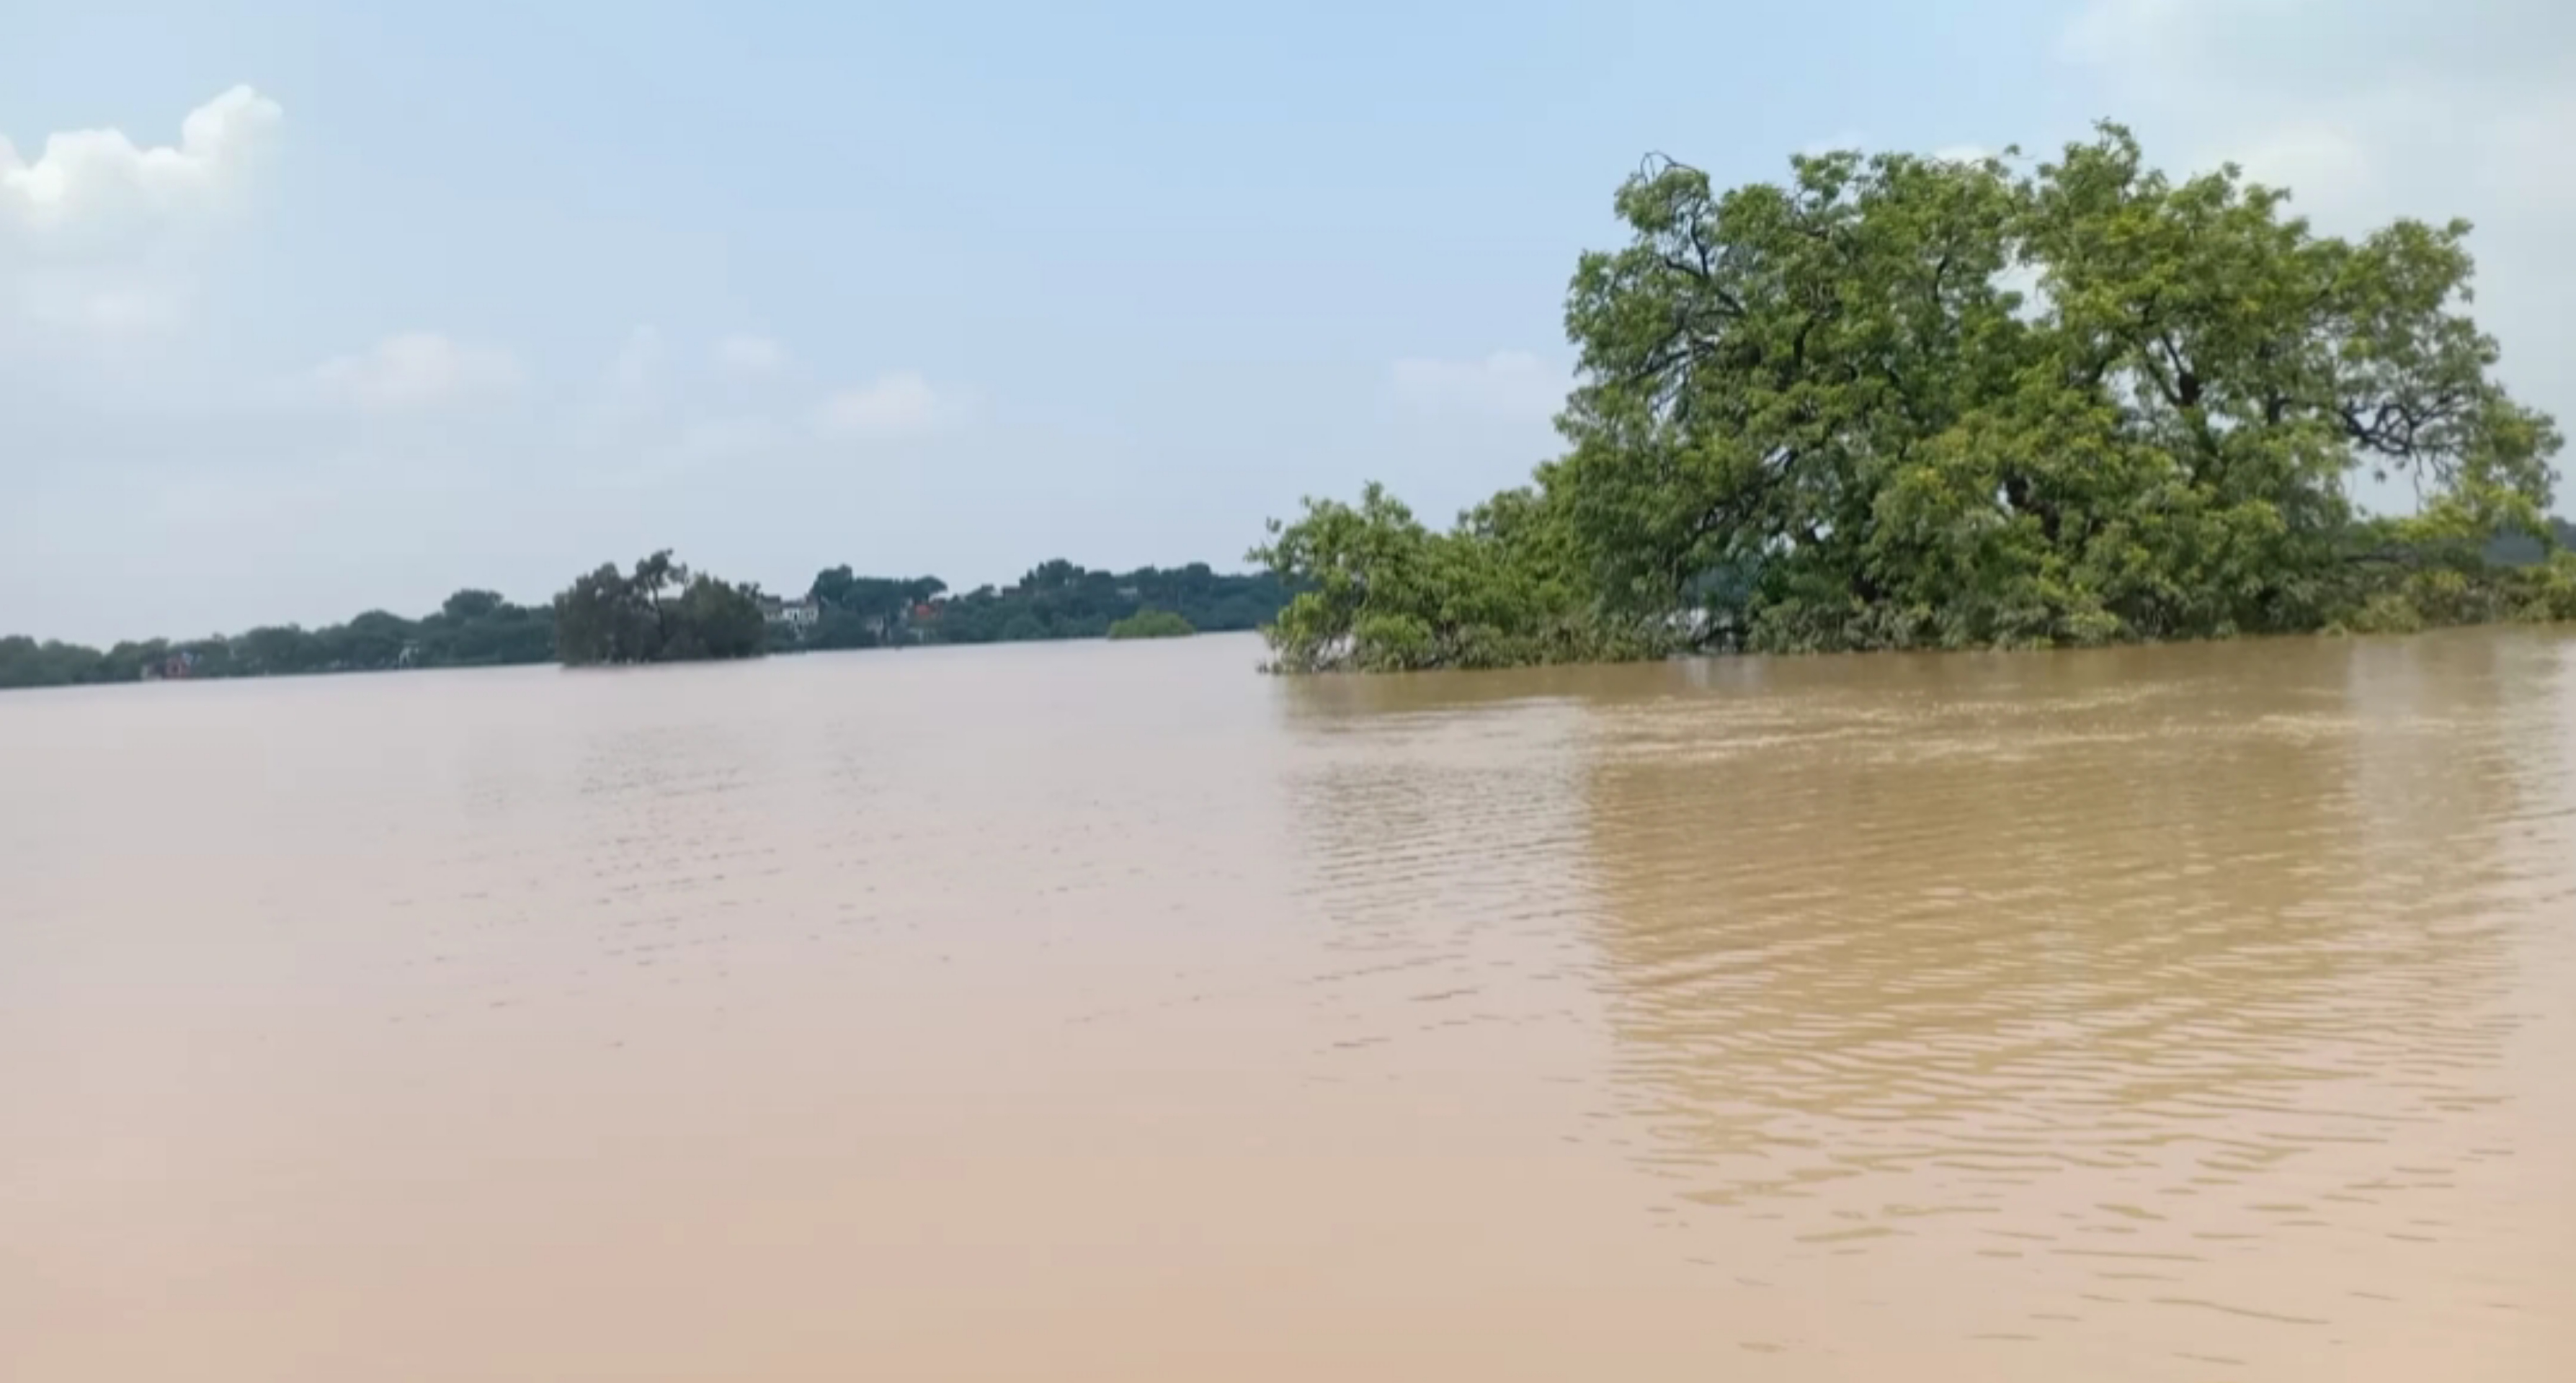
point(656, 614)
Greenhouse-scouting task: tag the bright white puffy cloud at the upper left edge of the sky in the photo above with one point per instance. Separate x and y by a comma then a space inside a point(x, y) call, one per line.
point(89, 176)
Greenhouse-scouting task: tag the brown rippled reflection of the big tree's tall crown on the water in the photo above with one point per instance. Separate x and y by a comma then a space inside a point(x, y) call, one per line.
point(2132, 913)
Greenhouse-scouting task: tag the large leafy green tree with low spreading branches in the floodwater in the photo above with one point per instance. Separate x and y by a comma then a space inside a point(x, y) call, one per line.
point(1933, 403)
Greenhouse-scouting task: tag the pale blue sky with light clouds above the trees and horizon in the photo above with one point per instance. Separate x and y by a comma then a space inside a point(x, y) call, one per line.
point(486, 295)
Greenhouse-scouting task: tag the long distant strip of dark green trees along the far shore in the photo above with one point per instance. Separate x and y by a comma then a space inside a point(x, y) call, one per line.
point(661, 612)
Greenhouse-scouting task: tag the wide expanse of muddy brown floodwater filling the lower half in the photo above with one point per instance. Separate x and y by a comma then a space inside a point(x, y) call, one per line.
point(1112, 1013)
